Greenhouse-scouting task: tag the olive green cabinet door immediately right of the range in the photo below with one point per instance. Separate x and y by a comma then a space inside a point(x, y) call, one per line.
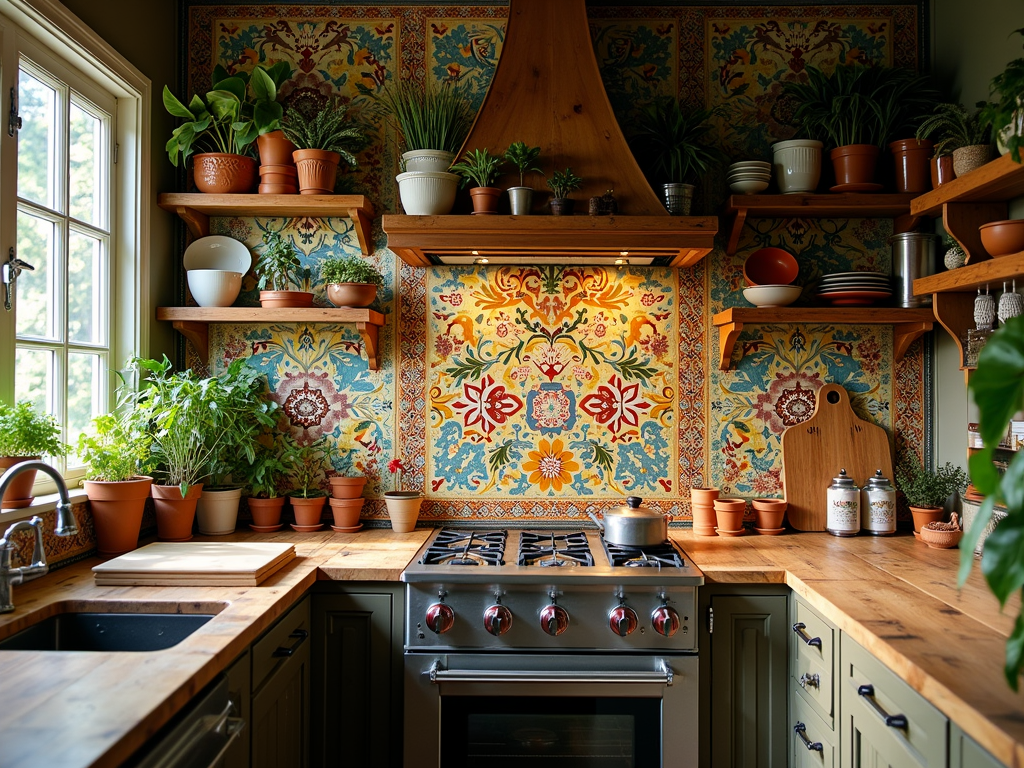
point(749, 650)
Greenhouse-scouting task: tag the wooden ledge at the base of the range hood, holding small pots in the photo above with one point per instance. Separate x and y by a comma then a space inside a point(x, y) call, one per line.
point(672, 241)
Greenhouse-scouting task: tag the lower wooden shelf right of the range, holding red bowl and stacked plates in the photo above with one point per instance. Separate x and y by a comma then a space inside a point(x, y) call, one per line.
point(909, 325)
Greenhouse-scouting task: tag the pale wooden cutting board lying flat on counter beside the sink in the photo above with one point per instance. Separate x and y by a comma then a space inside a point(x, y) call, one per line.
point(196, 564)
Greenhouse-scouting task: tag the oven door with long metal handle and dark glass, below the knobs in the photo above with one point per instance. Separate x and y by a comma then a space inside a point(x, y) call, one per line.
point(574, 711)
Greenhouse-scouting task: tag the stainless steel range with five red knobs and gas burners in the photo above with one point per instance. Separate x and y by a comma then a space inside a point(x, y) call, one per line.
point(553, 648)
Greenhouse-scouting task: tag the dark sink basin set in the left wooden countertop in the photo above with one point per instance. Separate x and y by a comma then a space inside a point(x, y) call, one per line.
point(107, 632)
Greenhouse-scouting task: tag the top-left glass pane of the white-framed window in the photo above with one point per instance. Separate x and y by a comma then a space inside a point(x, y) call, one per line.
point(37, 153)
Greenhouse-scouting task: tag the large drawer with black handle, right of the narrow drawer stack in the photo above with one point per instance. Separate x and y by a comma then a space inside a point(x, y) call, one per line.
point(884, 719)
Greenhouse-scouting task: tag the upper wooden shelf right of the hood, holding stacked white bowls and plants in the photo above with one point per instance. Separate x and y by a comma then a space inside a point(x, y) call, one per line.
point(741, 207)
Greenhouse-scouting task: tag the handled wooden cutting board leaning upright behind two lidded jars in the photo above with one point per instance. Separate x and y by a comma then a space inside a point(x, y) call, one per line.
point(815, 451)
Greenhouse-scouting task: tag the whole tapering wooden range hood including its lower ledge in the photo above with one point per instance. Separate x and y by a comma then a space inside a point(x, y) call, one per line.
point(547, 92)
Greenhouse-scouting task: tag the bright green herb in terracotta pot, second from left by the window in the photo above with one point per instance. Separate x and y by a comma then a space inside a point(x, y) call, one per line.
point(115, 450)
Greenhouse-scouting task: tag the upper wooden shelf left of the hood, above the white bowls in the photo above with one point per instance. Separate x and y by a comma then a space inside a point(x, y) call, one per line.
point(197, 208)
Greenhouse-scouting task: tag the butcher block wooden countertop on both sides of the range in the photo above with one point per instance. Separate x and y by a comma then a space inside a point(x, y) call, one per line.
point(894, 596)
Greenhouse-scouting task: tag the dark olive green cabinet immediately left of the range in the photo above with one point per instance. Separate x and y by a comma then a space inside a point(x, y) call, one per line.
point(358, 680)
